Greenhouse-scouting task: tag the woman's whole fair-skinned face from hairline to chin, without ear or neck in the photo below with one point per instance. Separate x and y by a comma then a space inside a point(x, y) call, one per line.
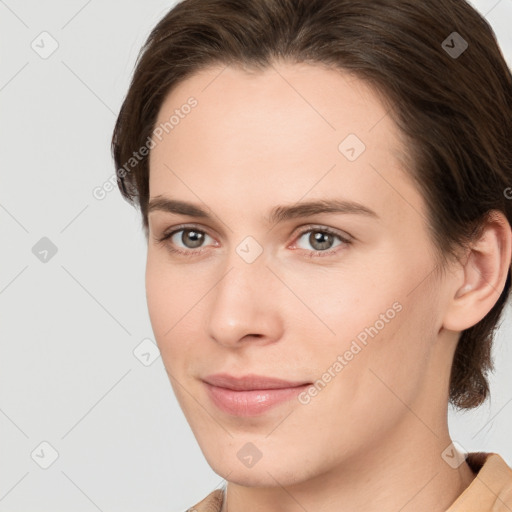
point(338, 296)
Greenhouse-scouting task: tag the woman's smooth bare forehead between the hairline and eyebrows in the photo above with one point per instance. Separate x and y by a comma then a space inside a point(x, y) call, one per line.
point(275, 135)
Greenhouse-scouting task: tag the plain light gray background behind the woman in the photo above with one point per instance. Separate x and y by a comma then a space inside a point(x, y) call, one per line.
point(69, 328)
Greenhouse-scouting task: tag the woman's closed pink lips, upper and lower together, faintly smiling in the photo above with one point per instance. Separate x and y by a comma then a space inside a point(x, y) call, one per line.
point(250, 395)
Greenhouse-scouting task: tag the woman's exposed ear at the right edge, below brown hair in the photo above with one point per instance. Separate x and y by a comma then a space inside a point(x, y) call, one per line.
point(482, 277)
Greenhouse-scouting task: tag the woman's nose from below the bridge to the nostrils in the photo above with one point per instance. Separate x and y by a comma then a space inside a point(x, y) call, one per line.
point(244, 305)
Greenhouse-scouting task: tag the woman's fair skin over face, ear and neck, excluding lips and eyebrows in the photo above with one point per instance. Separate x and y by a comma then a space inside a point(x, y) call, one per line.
point(372, 439)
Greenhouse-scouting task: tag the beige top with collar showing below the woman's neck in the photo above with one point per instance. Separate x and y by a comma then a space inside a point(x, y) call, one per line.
point(490, 491)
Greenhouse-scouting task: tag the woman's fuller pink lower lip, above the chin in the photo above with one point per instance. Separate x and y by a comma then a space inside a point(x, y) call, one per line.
point(252, 402)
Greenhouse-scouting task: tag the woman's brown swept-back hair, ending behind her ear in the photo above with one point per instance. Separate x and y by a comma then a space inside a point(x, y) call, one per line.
point(453, 109)
